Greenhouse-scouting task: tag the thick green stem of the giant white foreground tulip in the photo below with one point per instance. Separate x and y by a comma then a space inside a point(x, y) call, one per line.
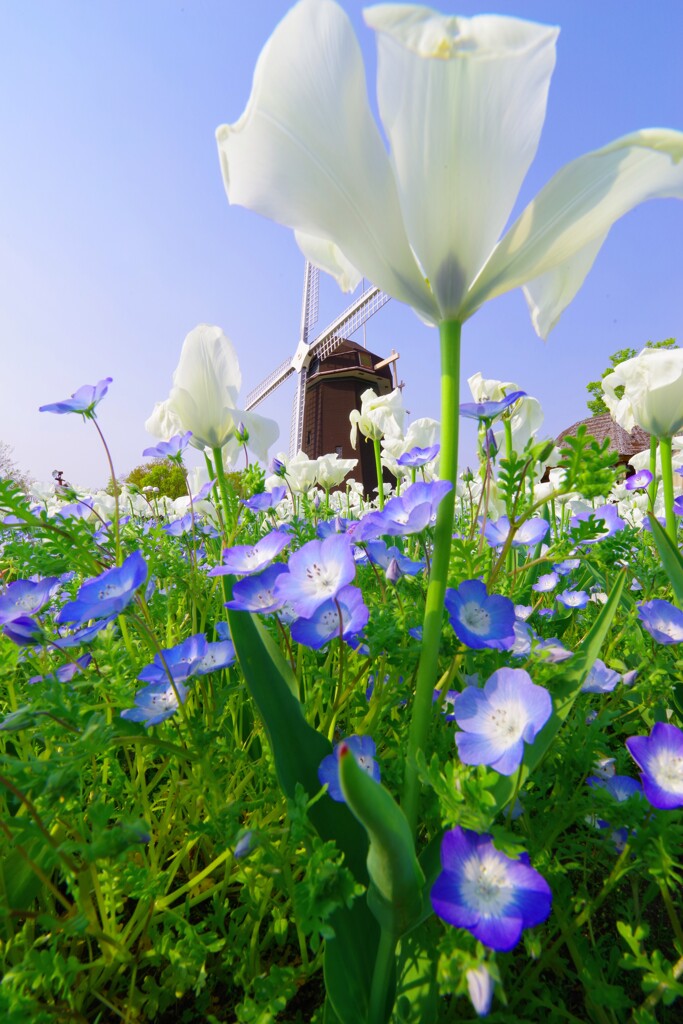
point(428, 670)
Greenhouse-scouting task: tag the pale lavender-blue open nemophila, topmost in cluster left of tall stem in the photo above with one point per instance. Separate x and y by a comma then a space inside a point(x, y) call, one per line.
point(317, 573)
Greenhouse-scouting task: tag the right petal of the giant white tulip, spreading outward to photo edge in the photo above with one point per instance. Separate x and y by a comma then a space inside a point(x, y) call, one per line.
point(559, 234)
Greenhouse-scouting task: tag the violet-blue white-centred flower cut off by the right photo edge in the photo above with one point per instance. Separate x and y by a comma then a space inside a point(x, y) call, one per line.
point(660, 756)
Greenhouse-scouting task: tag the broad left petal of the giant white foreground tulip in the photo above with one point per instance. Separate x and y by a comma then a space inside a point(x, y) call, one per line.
point(308, 153)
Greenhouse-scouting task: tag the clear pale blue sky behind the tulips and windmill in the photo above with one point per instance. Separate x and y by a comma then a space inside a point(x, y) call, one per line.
point(117, 239)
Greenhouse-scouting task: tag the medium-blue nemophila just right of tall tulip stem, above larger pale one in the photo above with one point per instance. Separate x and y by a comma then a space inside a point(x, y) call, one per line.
point(481, 620)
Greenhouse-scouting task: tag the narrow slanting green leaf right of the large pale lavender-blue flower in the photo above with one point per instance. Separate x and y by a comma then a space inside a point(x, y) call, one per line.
point(566, 691)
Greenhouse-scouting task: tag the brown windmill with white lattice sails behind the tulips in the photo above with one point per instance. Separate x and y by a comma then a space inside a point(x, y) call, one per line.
point(332, 374)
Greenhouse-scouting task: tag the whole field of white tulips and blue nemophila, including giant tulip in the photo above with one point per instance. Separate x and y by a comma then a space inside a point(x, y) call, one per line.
point(290, 748)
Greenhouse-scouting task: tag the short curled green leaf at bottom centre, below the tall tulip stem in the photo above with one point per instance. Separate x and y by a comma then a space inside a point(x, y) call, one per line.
point(395, 894)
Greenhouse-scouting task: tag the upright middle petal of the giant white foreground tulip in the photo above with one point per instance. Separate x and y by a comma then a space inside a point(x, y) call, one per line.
point(463, 103)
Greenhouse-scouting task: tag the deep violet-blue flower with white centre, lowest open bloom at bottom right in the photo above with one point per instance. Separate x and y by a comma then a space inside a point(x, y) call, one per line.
point(488, 893)
